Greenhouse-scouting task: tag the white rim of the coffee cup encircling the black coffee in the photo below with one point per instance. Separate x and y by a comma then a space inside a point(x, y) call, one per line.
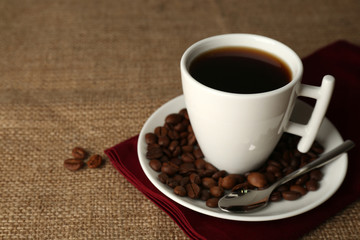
point(296, 78)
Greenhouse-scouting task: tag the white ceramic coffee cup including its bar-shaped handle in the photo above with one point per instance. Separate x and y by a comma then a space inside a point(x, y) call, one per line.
point(237, 132)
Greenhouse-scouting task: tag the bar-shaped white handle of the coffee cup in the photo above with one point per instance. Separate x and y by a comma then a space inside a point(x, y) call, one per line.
point(309, 131)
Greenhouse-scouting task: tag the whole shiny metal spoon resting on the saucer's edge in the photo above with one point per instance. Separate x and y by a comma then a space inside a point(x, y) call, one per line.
point(246, 200)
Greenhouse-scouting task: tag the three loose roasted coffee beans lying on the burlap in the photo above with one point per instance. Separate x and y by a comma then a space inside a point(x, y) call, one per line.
point(79, 155)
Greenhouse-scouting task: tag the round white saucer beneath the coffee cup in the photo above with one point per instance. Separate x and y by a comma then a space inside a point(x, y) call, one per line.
point(334, 173)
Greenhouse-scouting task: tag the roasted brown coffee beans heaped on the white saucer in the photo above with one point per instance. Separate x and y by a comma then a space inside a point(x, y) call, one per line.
point(172, 151)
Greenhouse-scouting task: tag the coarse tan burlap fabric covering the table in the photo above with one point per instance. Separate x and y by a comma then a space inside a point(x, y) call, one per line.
point(89, 73)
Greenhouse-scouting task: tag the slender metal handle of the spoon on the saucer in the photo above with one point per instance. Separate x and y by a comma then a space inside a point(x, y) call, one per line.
point(322, 160)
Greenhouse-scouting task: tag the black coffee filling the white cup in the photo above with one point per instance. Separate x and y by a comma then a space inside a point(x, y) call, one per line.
point(240, 70)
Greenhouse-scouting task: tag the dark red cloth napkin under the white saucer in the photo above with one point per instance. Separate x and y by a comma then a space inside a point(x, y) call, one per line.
point(340, 59)
